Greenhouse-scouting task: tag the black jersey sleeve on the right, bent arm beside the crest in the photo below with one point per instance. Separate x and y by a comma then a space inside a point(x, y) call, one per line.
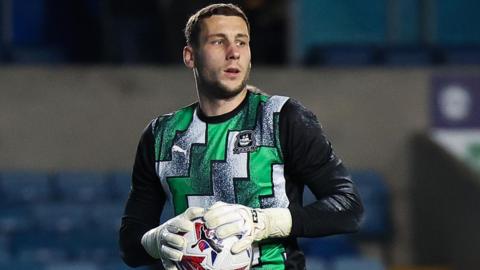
point(310, 160)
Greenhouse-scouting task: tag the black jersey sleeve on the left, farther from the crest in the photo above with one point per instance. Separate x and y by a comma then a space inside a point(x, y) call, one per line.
point(144, 204)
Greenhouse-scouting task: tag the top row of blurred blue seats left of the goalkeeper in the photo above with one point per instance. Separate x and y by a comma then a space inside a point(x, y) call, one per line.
point(24, 187)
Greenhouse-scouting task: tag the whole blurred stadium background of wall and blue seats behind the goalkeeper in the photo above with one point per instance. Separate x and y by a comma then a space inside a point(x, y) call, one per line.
point(395, 84)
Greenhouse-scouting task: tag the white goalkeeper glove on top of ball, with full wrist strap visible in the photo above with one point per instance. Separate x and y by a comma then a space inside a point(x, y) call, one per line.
point(257, 224)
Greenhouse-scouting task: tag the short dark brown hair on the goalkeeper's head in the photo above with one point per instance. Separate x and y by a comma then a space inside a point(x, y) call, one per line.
point(193, 27)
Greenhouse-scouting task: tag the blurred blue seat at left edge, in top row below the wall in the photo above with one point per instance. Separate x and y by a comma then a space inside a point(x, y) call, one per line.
point(25, 187)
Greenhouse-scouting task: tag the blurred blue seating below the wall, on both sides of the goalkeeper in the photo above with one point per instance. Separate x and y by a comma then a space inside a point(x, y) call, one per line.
point(53, 227)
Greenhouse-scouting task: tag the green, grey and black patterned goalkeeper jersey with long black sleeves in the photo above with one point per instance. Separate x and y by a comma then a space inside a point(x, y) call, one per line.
point(261, 155)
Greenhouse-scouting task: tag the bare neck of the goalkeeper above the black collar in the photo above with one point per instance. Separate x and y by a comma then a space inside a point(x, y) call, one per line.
point(215, 107)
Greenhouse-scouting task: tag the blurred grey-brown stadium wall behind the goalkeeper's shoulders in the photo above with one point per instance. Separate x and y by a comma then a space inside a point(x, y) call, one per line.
point(90, 118)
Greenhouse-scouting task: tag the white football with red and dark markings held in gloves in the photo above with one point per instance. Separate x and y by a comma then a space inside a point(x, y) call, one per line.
point(205, 251)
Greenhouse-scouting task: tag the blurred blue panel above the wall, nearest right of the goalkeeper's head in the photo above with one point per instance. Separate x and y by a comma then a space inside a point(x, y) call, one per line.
point(326, 23)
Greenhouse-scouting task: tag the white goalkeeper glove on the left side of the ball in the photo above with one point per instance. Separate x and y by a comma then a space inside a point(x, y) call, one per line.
point(164, 243)
